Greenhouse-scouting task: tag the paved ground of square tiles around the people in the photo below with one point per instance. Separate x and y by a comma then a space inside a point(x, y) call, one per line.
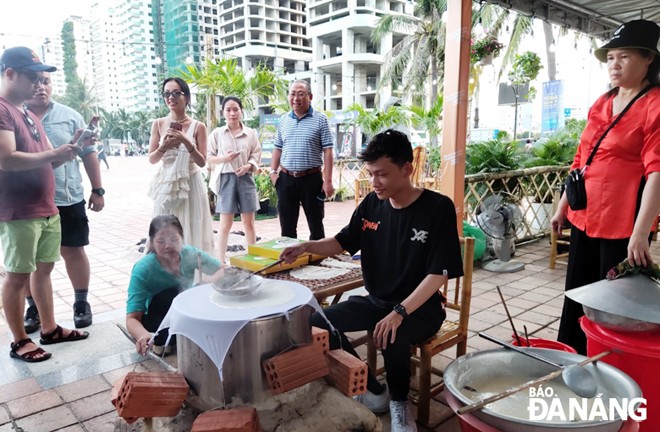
point(70, 392)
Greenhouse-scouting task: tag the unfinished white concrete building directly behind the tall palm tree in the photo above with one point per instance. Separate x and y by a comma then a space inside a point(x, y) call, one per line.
point(347, 65)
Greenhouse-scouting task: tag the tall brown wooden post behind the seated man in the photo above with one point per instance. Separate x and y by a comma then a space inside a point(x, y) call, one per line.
point(454, 124)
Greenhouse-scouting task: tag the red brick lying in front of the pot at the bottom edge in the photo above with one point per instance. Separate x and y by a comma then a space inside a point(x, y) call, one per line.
point(231, 420)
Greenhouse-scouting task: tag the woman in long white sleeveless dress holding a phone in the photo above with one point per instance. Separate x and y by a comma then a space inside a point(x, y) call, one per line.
point(179, 142)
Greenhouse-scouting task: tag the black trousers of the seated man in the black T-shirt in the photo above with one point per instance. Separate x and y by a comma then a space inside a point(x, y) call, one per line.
point(359, 313)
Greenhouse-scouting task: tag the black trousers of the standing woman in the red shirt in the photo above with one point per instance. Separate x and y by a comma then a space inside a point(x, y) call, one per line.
point(589, 260)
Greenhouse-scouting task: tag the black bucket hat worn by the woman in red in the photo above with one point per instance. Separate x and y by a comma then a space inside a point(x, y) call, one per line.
point(641, 34)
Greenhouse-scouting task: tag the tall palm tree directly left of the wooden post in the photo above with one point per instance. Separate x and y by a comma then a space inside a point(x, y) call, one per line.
point(420, 55)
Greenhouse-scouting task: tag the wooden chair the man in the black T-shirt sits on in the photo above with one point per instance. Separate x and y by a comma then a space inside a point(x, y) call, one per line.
point(458, 292)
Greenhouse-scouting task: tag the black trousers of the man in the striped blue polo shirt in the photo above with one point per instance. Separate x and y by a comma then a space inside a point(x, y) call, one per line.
point(293, 192)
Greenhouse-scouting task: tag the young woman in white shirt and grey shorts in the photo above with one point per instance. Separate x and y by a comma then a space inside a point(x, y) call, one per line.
point(236, 151)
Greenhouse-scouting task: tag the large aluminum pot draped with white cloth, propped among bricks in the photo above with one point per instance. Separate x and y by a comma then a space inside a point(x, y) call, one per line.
point(243, 376)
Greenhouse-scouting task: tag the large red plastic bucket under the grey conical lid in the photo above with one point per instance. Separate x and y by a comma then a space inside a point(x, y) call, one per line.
point(638, 355)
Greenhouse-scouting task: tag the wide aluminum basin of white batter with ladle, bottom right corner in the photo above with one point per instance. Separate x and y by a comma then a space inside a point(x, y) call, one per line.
point(502, 365)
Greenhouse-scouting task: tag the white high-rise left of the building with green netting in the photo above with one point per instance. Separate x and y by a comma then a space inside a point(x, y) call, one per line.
point(124, 54)
